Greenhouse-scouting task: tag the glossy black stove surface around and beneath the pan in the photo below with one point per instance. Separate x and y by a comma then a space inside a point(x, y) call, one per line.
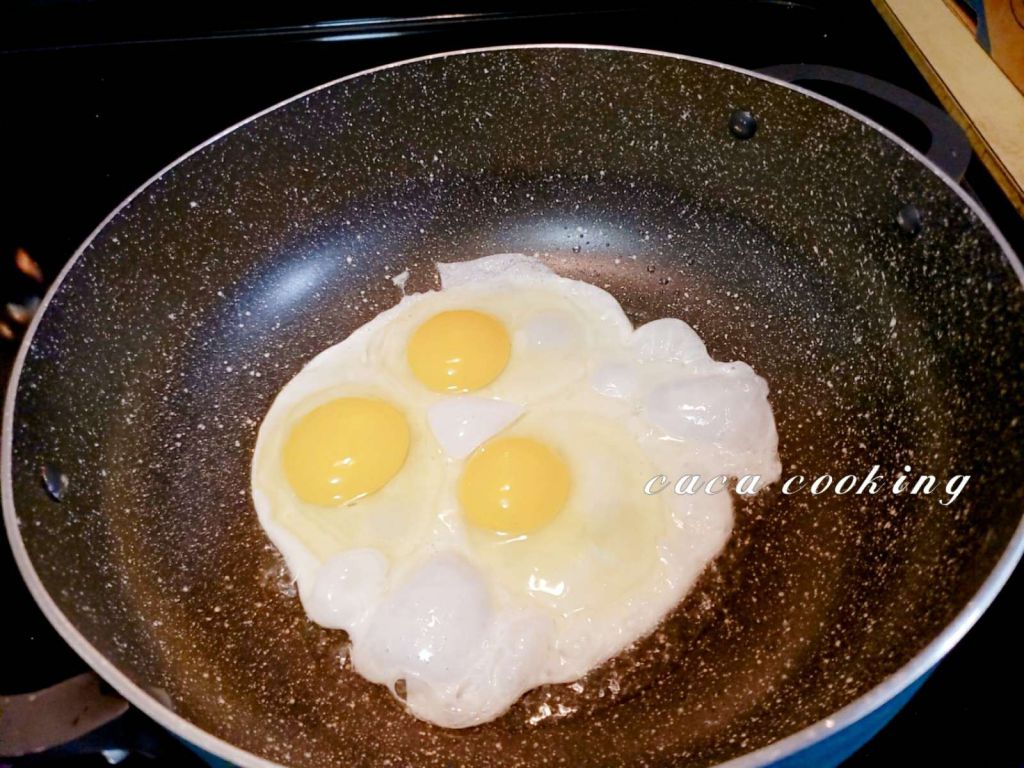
point(101, 96)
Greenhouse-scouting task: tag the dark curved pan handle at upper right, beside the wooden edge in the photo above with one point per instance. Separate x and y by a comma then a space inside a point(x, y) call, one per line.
point(950, 148)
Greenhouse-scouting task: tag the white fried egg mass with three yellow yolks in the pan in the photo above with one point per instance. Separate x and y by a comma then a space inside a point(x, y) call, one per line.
point(460, 484)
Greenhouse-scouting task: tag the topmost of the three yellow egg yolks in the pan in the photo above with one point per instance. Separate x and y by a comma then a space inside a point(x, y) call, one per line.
point(459, 351)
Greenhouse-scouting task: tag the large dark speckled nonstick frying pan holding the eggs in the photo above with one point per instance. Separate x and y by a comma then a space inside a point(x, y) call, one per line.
point(872, 293)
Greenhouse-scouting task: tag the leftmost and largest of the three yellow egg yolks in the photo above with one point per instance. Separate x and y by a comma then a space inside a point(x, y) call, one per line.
point(345, 450)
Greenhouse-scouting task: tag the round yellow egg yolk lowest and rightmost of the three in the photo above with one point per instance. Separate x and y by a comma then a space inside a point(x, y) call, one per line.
point(514, 486)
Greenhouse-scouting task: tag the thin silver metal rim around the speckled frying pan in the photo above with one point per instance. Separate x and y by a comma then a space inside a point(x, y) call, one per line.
point(847, 716)
